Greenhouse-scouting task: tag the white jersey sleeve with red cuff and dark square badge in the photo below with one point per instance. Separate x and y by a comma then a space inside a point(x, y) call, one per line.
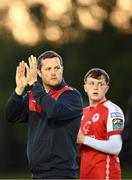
point(115, 121)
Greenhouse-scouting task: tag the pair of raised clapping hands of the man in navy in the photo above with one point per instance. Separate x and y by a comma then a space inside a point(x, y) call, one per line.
point(26, 74)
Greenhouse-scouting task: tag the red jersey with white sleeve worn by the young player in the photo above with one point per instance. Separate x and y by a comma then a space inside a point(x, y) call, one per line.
point(100, 122)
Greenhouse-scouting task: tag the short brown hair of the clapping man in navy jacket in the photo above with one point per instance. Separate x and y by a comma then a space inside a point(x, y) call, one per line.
point(48, 54)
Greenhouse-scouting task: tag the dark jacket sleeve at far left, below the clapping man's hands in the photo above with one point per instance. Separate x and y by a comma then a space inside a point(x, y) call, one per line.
point(16, 108)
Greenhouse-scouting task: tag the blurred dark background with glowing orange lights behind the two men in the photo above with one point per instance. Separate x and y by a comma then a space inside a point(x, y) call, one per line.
point(87, 34)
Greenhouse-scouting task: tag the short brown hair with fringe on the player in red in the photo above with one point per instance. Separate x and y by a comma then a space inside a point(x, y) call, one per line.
point(97, 73)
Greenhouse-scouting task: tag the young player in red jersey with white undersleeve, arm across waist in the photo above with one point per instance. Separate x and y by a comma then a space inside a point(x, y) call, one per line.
point(100, 132)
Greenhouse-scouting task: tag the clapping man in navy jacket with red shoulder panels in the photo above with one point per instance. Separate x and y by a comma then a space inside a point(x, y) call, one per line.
point(53, 111)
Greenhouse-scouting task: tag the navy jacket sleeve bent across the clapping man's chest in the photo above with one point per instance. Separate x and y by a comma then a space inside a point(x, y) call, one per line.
point(68, 106)
